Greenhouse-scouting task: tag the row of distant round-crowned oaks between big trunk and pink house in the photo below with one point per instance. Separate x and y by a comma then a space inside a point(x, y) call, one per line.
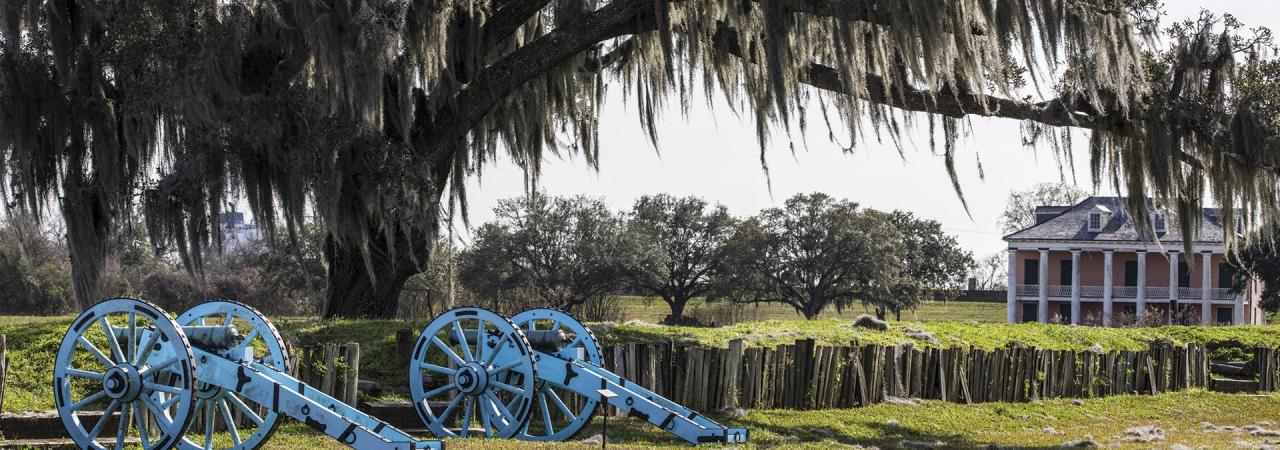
point(813, 254)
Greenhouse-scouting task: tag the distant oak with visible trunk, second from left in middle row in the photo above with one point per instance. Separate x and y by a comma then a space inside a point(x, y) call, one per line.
point(678, 249)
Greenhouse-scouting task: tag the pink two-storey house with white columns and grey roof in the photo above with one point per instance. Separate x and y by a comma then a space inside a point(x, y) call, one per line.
point(1087, 264)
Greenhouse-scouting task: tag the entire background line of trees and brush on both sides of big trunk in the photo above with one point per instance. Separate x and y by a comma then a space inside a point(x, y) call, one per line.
point(813, 254)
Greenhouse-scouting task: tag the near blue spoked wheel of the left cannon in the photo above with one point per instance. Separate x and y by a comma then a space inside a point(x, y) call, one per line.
point(125, 375)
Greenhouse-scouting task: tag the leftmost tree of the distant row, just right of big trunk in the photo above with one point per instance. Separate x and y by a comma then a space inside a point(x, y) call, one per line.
point(561, 252)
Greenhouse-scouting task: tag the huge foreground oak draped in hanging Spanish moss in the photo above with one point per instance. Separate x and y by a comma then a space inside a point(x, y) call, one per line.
point(372, 114)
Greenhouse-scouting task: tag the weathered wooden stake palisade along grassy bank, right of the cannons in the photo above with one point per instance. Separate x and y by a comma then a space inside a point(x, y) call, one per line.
point(808, 376)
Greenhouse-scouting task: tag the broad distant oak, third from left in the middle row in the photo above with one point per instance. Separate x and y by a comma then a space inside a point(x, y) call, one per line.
point(815, 254)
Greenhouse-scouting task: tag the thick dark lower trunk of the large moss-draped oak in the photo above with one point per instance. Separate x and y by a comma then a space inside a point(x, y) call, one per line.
point(371, 291)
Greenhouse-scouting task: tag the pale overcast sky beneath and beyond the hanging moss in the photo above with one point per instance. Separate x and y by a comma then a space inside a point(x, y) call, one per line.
point(715, 155)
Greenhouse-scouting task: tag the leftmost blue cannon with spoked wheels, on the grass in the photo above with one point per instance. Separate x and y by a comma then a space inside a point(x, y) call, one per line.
point(218, 370)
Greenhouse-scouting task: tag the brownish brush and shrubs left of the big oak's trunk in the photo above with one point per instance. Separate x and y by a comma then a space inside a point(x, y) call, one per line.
point(280, 277)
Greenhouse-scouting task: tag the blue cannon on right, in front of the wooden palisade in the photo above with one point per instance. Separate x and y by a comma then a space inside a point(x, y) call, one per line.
point(537, 376)
